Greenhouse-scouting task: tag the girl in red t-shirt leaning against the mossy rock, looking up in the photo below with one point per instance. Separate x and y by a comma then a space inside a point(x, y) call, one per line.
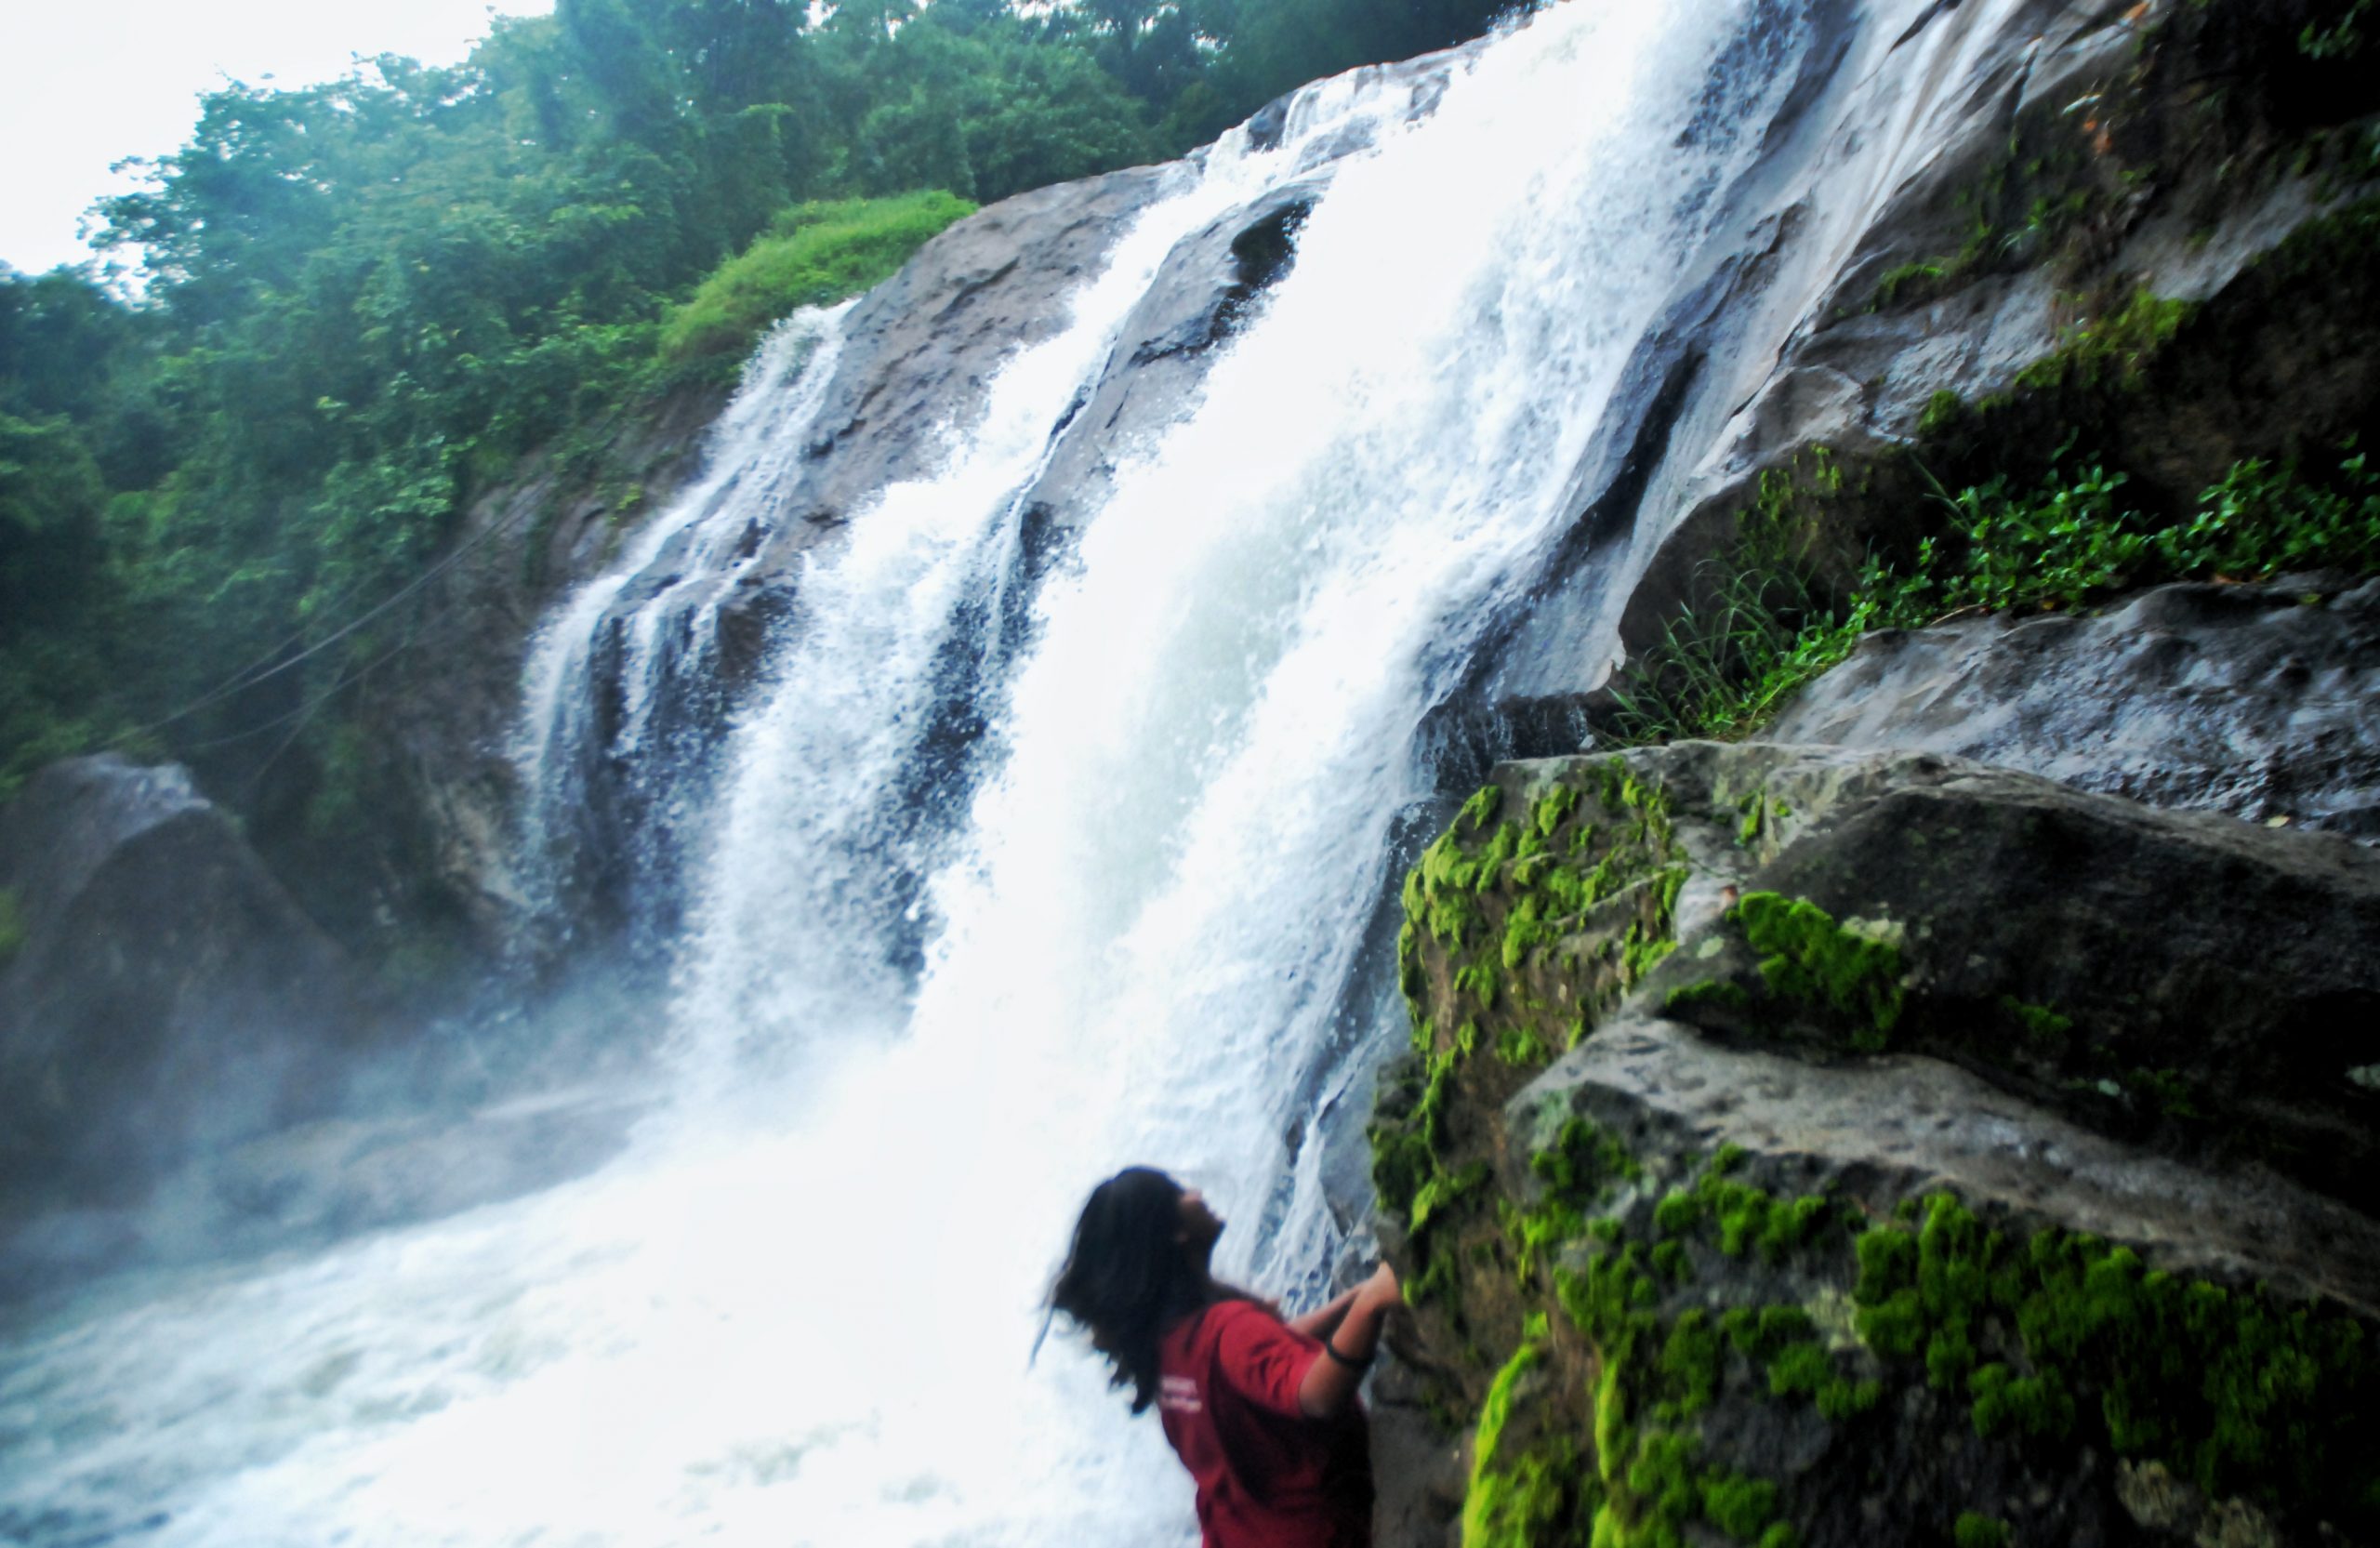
point(1260, 1411)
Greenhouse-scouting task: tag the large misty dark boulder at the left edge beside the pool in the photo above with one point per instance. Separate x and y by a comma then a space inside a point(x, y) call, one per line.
point(168, 994)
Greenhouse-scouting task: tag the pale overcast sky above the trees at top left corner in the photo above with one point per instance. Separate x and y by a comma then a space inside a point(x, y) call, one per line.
point(94, 82)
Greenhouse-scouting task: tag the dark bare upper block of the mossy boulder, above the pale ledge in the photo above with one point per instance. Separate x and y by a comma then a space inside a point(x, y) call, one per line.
point(2177, 980)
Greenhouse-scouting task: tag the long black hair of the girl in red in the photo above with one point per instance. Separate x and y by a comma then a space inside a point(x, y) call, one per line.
point(1132, 1275)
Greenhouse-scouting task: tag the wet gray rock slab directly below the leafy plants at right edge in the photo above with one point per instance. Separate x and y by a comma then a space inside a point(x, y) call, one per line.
point(2231, 699)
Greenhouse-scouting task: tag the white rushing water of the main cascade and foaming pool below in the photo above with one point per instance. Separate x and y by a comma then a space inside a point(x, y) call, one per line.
point(798, 1311)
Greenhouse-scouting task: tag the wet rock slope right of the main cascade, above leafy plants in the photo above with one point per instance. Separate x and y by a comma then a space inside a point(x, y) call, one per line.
point(1939, 277)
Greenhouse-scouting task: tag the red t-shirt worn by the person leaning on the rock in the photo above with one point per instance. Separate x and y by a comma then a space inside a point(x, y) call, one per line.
point(1267, 1475)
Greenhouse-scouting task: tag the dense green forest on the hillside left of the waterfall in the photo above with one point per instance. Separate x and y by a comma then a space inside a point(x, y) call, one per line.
point(342, 311)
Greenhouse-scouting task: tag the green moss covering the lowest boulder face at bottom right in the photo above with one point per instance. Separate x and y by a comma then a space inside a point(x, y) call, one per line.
point(1636, 1330)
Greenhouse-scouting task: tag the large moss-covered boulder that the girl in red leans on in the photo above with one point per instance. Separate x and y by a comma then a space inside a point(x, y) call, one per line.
point(1822, 1147)
